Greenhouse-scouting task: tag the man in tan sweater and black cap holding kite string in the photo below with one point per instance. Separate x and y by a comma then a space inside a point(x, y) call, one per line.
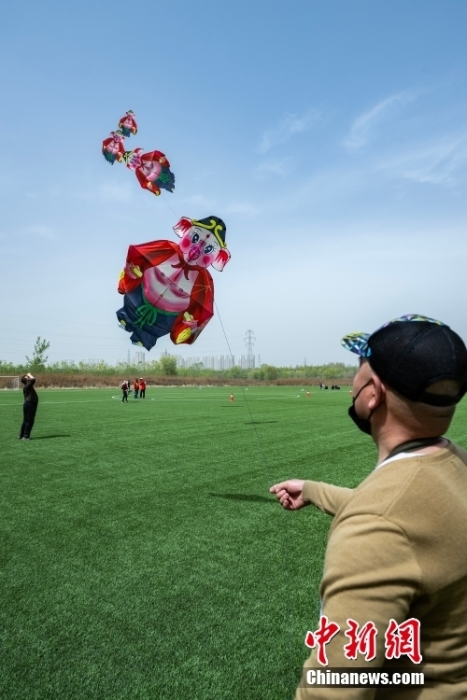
point(394, 587)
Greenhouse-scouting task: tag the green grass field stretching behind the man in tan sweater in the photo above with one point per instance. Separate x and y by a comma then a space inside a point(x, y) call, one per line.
point(142, 556)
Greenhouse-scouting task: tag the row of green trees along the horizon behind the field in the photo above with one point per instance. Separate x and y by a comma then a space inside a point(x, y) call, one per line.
point(167, 366)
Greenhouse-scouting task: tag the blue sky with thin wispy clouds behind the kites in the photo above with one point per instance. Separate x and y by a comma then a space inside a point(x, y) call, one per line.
point(330, 136)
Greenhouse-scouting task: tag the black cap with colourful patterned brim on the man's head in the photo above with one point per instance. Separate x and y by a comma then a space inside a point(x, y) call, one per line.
point(412, 352)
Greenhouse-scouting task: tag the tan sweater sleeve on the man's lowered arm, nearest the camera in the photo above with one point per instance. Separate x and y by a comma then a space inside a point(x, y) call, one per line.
point(370, 575)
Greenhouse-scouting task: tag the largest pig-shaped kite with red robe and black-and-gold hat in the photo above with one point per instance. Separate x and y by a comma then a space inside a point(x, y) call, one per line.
point(167, 288)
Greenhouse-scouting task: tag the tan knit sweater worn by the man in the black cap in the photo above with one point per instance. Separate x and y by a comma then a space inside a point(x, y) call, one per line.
point(398, 549)
